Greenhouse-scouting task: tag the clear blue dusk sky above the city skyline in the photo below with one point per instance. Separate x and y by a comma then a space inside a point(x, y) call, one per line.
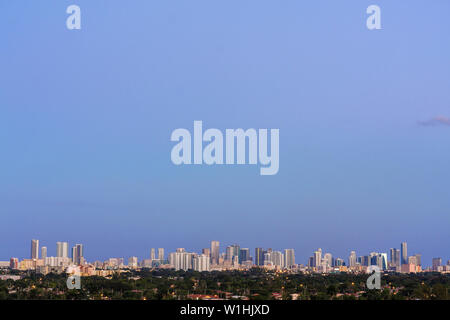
point(86, 117)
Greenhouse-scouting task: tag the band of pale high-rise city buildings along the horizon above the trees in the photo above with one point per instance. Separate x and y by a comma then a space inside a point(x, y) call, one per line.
point(233, 257)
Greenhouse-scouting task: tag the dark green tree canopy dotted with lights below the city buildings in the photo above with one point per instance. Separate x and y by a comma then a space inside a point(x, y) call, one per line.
point(254, 284)
